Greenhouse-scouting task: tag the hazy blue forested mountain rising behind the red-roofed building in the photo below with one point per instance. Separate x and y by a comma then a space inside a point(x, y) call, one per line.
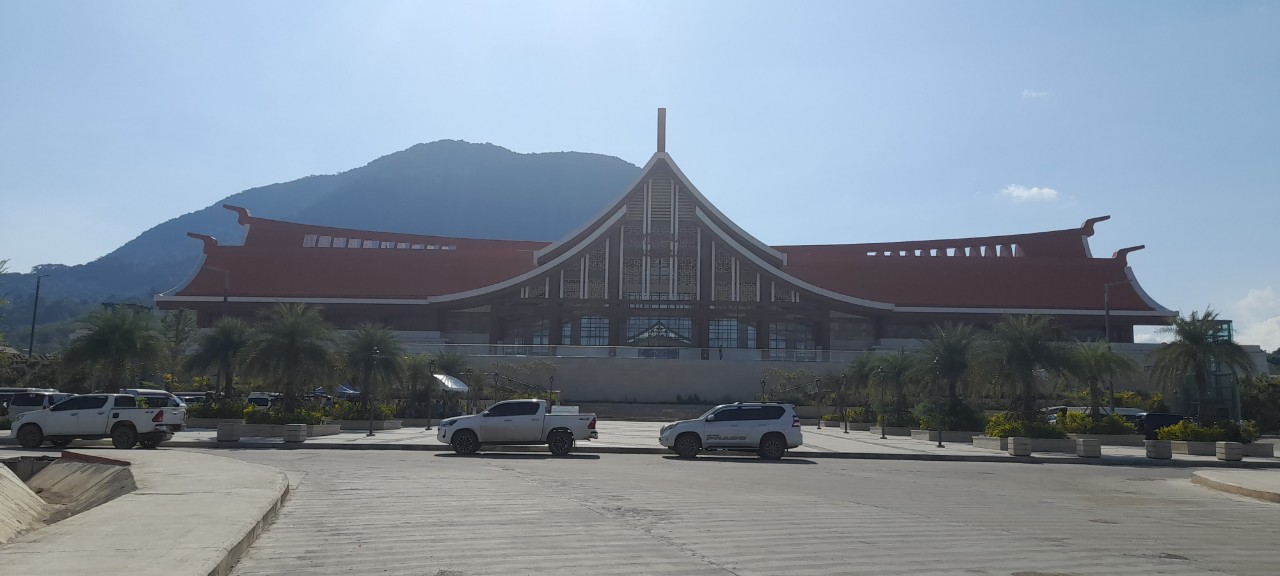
point(447, 188)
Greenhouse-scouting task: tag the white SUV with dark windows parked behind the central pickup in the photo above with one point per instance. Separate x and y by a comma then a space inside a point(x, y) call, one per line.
point(767, 428)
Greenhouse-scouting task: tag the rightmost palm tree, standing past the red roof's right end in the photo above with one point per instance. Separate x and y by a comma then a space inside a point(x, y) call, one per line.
point(1197, 348)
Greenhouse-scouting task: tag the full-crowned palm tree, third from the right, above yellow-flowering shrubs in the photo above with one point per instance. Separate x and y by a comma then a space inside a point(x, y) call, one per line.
point(1017, 350)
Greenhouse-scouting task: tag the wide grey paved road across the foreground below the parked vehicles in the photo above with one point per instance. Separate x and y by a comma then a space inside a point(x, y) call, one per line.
point(441, 515)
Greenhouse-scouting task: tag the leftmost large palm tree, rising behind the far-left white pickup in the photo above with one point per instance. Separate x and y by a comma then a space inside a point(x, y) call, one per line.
point(118, 341)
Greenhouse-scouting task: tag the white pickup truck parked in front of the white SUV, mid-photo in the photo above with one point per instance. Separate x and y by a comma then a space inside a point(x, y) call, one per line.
point(511, 423)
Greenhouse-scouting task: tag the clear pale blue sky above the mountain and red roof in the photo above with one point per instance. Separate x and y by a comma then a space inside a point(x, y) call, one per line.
point(804, 122)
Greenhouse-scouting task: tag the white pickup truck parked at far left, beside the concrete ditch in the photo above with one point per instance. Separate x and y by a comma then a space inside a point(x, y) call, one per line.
point(94, 417)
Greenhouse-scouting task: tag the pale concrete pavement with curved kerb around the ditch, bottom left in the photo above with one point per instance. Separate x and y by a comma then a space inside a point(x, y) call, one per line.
point(191, 515)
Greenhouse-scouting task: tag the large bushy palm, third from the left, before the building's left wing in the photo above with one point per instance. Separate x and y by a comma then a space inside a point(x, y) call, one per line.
point(290, 348)
